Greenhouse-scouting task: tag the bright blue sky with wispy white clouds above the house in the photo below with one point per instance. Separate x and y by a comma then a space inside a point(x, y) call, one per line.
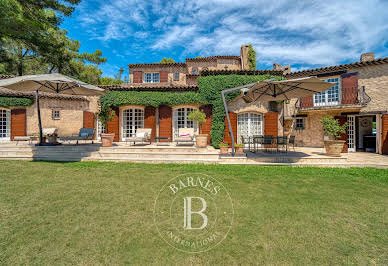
point(303, 34)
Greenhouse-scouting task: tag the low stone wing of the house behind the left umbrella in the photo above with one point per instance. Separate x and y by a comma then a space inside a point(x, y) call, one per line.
point(68, 113)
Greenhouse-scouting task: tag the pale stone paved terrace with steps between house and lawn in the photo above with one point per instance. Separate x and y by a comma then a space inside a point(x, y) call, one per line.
point(185, 154)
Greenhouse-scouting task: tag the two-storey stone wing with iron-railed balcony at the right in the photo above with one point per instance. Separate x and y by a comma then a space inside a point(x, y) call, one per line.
point(359, 97)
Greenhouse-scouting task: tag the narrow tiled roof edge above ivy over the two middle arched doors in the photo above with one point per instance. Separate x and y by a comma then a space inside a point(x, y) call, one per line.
point(150, 87)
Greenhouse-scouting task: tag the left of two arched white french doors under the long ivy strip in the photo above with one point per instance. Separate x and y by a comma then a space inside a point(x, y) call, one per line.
point(132, 120)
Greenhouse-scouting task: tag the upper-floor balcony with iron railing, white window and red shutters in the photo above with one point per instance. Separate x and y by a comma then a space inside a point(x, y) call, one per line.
point(349, 97)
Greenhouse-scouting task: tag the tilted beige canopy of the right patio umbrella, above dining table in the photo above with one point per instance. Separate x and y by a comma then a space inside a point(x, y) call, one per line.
point(269, 90)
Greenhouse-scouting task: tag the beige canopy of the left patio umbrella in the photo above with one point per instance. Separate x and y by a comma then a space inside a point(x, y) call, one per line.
point(54, 83)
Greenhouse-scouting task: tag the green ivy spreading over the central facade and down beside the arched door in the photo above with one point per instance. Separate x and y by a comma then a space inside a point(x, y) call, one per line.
point(209, 92)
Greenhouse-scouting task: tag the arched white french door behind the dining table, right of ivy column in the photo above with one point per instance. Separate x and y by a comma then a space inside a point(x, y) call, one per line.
point(248, 125)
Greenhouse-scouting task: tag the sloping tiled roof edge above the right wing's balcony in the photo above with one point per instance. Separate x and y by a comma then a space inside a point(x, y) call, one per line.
point(317, 71)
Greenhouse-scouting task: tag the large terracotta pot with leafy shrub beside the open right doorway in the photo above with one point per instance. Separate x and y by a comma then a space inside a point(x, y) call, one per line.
point(333, 130)
